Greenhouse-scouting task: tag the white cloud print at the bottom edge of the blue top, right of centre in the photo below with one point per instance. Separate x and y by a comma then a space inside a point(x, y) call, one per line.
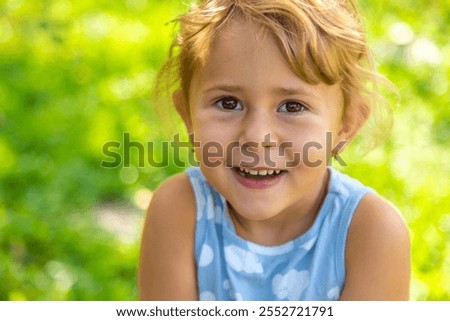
point(290, 285)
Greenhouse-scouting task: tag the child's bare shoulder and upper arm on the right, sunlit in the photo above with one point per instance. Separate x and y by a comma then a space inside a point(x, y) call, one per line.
point(377, 253)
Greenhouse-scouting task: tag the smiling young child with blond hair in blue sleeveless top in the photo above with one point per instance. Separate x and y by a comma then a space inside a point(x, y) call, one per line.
point(270, 91)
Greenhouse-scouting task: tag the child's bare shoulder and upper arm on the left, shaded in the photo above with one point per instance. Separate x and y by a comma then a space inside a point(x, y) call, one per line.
point(167, 266)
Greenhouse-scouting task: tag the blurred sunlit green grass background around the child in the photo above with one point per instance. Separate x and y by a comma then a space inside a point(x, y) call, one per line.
point(77, 74)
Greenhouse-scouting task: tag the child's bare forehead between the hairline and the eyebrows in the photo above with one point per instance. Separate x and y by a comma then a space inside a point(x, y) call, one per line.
point(246, 59)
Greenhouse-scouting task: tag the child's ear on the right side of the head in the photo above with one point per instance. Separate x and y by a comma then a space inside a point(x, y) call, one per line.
point(355, 116)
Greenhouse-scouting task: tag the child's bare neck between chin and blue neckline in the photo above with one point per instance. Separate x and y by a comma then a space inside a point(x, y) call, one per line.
point(284, 227)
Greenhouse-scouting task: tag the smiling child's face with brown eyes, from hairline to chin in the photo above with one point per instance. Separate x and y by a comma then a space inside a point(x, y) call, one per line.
point(245, 91)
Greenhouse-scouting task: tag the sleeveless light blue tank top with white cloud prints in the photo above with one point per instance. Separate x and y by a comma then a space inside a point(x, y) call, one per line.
point(310, 267)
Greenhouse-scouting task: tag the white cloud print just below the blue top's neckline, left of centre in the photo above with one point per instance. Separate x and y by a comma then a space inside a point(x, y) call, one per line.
point(241, 260)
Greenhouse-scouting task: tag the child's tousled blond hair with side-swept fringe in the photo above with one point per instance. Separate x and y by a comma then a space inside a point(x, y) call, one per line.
point(322, 41)
